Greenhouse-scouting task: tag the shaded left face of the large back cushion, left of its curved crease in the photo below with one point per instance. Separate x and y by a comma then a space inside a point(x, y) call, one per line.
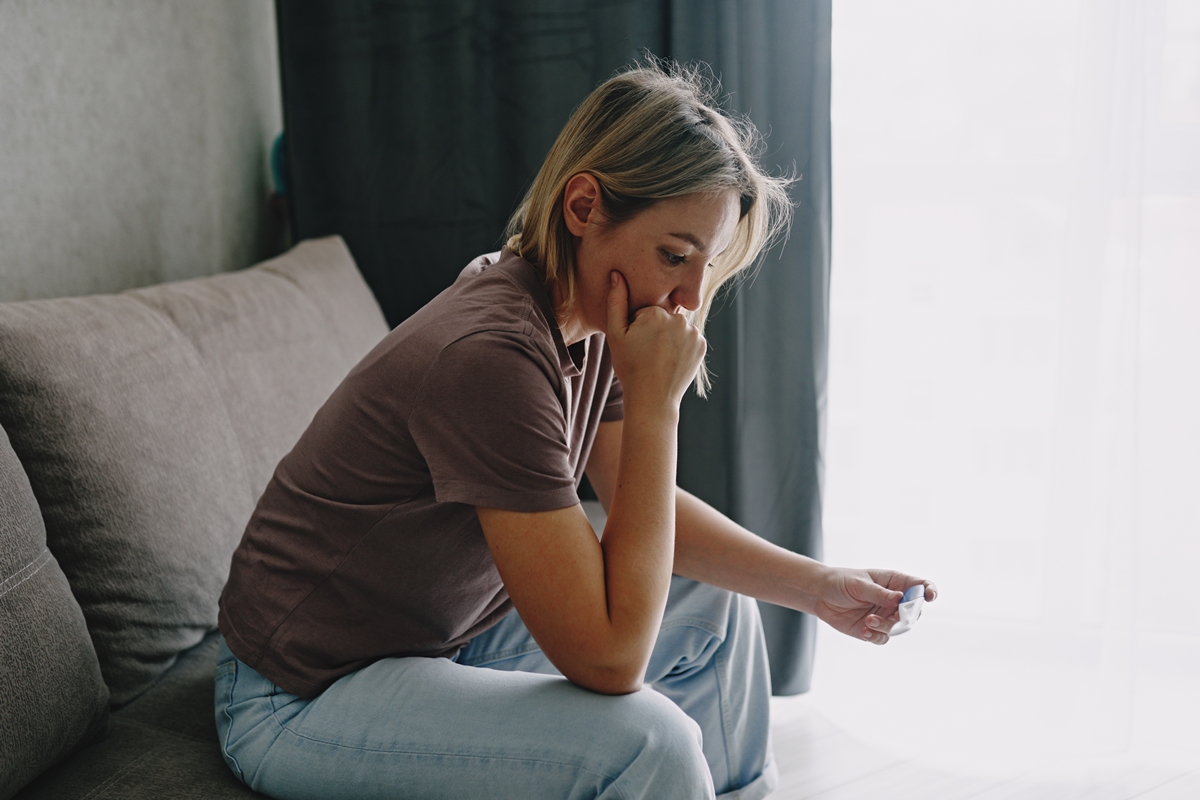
point(133, 459)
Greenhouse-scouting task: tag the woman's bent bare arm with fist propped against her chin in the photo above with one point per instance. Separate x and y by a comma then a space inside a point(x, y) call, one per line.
point(596, 607)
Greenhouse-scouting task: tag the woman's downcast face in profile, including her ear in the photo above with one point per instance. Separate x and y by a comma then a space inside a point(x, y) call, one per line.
point(663, 252)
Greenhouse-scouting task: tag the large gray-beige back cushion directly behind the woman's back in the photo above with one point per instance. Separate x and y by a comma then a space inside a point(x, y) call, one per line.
point(149, 423)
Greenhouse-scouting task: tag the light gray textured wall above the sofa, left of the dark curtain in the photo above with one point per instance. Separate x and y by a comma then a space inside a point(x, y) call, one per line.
point(134, 142)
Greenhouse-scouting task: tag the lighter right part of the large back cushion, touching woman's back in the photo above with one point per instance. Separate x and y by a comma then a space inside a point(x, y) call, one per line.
point(277, 341)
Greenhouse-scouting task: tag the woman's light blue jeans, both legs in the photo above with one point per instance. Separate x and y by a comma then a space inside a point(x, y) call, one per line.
point(499, 720)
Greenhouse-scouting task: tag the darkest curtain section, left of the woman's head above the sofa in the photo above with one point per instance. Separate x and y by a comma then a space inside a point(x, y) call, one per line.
point(415, 129)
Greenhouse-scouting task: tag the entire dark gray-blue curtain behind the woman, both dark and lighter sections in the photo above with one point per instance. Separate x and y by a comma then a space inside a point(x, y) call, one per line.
point(413, 129)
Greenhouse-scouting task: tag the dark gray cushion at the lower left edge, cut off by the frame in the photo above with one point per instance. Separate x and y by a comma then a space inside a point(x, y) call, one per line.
point(53, 697)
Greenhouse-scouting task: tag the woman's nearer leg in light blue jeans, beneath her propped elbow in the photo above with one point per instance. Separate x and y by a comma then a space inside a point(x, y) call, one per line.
point(434, 729)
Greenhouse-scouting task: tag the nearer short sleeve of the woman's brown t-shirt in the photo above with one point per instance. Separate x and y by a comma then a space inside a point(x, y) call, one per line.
point(491, 428)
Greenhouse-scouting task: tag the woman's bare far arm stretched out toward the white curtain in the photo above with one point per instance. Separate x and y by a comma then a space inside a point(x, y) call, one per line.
point(715, 550)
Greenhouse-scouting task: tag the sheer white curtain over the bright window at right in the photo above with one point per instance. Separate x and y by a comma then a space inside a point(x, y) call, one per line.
point(1015, 374)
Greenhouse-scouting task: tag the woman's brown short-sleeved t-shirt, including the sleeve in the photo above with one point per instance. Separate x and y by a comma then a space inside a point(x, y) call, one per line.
point(365, 544)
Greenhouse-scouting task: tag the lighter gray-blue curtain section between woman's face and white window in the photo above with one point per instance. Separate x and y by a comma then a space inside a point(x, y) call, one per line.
point(770, 339)
